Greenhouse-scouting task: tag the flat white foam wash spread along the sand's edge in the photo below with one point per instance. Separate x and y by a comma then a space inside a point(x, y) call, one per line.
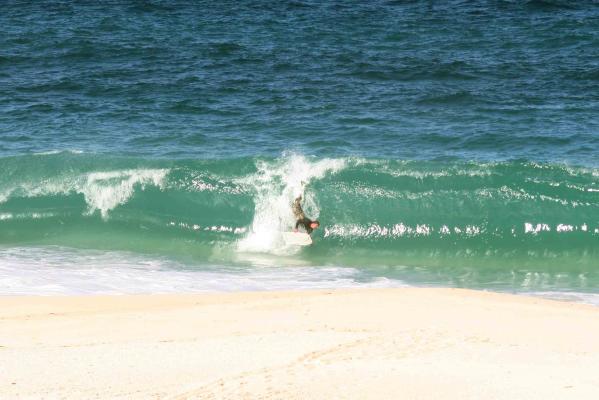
point(63, 271)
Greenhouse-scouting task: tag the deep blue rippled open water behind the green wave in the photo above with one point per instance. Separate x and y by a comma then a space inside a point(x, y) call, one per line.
point(403, 79)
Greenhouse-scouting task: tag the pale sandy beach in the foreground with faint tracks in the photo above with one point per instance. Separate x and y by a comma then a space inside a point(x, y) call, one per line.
point(347, 344)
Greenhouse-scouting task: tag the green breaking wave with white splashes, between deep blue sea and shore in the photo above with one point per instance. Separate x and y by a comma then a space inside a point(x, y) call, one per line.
point(428, 222)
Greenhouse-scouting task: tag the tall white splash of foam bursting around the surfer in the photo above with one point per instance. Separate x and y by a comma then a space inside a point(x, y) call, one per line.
point(276, 184)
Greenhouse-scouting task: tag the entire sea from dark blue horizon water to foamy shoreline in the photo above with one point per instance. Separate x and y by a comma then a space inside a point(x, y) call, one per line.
point(157, 146)
